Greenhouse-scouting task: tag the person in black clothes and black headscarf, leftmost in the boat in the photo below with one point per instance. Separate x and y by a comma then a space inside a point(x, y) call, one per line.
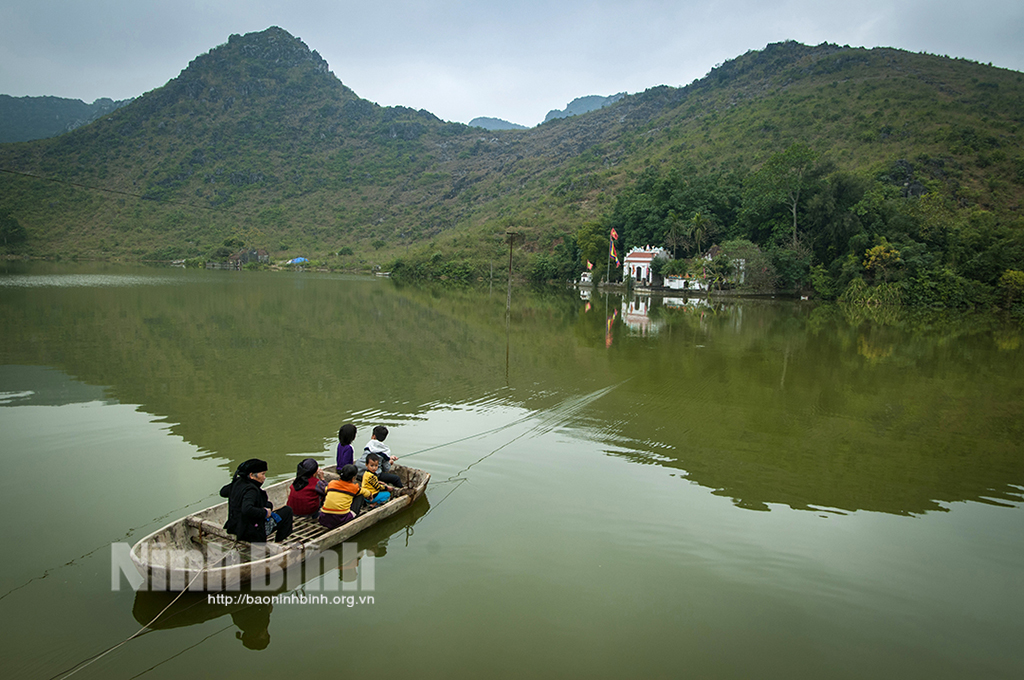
point(250, 515)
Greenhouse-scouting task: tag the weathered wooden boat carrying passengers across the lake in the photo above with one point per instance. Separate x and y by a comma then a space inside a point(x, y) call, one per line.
point(196, 552)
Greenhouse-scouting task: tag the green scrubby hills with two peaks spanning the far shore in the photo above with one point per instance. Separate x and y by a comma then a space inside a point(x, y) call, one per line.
point(258, 143)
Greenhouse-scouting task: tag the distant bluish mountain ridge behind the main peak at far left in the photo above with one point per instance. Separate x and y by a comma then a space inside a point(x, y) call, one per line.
point(24, 119)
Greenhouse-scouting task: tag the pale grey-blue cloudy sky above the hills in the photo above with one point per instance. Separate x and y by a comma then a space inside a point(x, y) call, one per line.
point(462, 59)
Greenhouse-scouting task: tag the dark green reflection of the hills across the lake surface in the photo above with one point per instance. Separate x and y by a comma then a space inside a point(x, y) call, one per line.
point(765, 402)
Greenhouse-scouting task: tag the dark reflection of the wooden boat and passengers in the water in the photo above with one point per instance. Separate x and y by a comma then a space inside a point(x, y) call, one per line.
point(253, 618)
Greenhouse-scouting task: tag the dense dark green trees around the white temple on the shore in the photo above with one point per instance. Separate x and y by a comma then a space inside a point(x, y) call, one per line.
point(829, 228)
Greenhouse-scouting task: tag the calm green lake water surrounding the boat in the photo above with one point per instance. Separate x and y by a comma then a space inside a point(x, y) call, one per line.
point(752, 489)
